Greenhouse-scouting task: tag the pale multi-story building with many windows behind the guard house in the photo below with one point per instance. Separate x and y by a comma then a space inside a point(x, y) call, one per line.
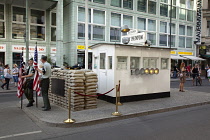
point(61, 25)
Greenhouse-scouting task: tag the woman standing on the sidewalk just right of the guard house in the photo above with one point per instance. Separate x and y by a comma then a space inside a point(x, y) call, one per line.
point(182, 77)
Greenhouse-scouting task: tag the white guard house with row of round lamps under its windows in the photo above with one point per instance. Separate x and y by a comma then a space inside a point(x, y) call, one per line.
point(144, 71)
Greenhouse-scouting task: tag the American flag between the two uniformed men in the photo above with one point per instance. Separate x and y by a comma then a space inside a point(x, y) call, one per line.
point(36, 76)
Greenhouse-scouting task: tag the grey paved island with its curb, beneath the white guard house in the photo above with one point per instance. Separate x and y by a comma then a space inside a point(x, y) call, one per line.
point(57, 115)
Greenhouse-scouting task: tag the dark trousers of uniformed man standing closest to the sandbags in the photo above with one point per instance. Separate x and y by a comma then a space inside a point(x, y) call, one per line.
point(44, 88)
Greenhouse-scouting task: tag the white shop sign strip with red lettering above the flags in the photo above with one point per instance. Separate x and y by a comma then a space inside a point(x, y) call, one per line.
point(16, 48)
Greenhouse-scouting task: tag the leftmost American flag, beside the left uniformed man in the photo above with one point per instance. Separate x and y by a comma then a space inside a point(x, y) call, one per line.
point(20, 90)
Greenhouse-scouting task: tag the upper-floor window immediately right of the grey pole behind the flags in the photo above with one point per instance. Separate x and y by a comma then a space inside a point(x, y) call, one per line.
point(37, 27)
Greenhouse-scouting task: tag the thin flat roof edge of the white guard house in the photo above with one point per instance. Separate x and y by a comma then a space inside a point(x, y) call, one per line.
point(129, 45)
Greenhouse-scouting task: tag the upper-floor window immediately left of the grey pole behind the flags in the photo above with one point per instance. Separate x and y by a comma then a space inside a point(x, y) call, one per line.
point(18, 23)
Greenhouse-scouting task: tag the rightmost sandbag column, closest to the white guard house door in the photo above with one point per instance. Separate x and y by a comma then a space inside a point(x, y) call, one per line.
point(91, 80)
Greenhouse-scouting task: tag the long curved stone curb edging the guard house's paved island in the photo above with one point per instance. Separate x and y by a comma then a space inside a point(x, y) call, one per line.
point(113, 118)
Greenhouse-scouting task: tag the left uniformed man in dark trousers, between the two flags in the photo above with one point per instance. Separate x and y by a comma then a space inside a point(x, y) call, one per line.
point(28, 85)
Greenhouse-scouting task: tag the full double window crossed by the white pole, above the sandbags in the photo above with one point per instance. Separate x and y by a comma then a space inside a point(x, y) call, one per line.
point(96, 25)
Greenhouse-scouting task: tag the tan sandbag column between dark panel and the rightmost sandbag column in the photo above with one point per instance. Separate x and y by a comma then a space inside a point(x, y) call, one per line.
point(76, 83)
